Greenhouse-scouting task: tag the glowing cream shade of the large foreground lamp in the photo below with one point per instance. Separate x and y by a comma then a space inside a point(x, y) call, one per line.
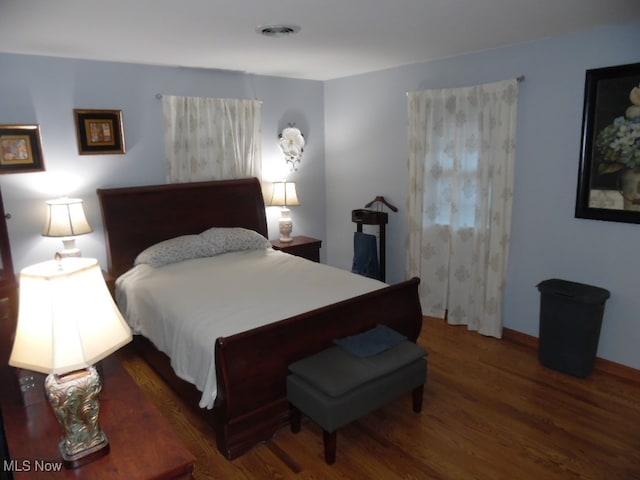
point(67, 318)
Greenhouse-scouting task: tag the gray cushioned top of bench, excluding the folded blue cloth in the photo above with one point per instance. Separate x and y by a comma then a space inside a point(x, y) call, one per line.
point(335, 371)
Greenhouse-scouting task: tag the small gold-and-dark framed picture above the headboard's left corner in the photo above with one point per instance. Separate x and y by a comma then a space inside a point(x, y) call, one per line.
point(99, 131)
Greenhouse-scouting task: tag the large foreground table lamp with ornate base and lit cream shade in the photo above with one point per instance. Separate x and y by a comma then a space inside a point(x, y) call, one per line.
point(67, 322)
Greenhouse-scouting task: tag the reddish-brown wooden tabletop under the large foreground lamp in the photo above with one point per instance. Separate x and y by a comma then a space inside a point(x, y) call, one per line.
point(143, 445)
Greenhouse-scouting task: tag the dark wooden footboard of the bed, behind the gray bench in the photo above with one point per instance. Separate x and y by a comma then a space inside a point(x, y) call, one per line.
point(252, 366)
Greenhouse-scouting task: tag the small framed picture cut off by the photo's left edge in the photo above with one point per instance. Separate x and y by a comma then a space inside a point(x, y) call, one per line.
point(21, 149)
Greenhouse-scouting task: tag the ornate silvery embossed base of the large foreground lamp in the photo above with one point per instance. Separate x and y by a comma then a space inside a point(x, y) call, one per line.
point(75, 401)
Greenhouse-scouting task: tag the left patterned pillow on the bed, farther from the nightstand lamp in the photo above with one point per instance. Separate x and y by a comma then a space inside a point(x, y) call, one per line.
point(175, 250)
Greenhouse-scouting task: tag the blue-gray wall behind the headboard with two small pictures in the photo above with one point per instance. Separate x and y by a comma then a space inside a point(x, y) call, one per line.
point(45, 91)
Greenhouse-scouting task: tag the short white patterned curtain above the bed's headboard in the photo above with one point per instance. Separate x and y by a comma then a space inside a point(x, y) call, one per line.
point(211, 138)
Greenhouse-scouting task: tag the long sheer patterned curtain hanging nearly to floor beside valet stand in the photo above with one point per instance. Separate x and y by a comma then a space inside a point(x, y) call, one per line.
point(461, 162)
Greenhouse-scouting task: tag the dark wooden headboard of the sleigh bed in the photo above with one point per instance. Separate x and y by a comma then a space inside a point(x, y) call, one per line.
point(136, 217)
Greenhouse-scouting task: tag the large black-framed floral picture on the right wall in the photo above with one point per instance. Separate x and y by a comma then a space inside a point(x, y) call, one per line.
point(609, 174)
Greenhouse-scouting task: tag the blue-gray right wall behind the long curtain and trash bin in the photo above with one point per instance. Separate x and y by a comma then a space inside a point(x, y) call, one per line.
point(366, 129)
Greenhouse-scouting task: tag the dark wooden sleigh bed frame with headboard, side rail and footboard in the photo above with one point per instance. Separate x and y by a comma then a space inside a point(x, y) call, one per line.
point(251, 366)
